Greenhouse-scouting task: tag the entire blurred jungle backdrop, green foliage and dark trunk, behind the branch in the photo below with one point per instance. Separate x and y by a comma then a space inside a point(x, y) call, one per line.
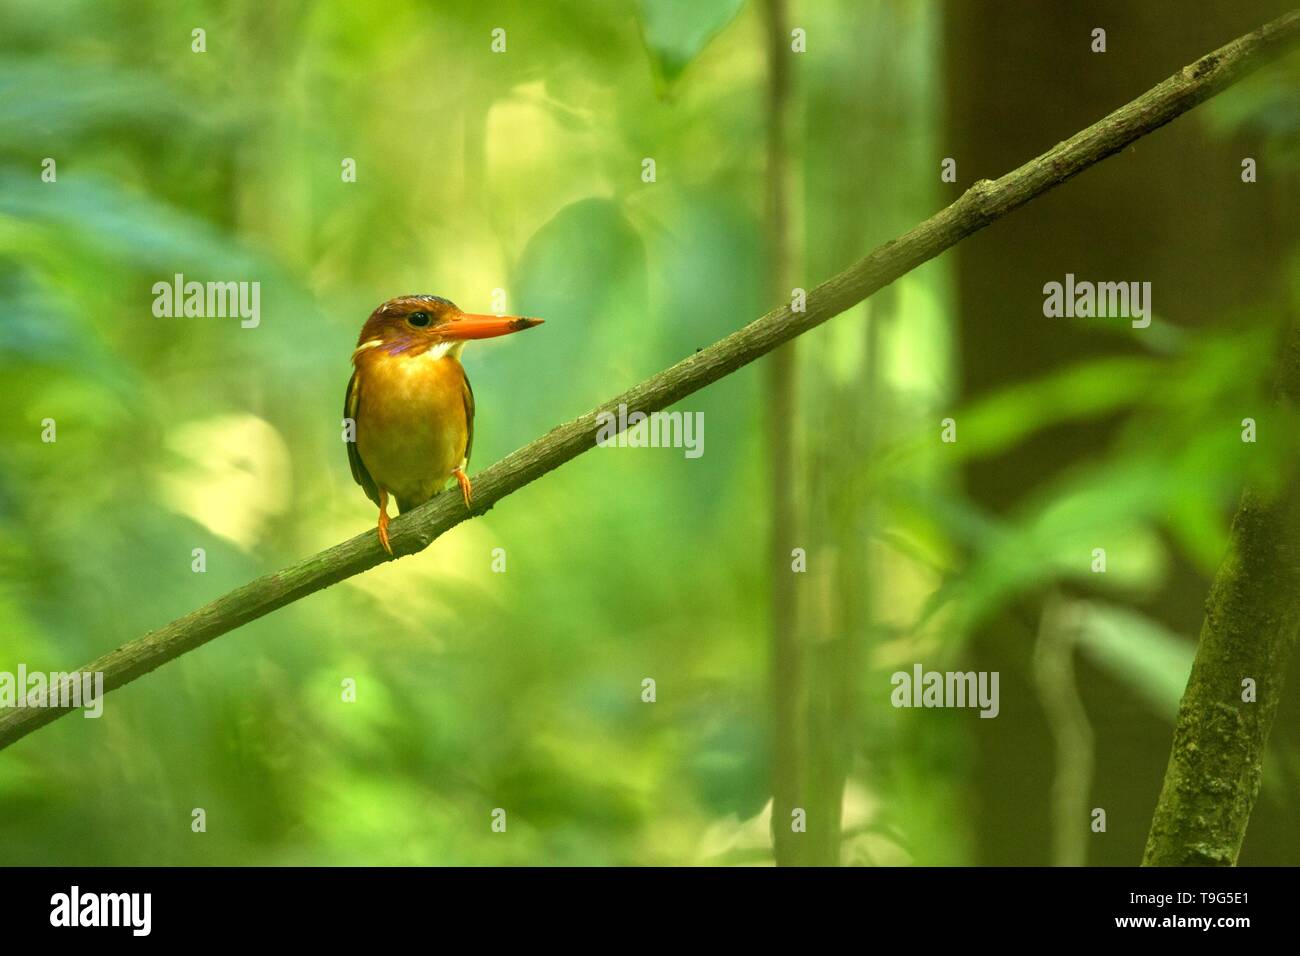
point(523, 171)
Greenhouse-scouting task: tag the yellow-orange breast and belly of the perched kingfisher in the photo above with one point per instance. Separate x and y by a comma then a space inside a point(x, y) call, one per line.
point(411, 427)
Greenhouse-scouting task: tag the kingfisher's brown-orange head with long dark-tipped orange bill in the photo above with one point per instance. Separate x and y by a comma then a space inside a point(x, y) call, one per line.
point(415, 325)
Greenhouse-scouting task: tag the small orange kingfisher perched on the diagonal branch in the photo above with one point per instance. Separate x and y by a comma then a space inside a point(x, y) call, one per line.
point(410, 401)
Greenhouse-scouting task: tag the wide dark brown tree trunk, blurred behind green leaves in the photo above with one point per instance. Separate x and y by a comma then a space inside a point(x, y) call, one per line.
point(1035, 62)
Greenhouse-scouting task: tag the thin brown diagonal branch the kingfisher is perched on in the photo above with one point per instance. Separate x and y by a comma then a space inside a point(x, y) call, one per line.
point(981, 205)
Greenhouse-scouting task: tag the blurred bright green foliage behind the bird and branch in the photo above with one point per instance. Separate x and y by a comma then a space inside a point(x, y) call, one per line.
point(519, 171)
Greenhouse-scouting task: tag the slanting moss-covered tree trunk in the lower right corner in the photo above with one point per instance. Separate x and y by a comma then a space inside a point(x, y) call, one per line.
point(1251, 622)
